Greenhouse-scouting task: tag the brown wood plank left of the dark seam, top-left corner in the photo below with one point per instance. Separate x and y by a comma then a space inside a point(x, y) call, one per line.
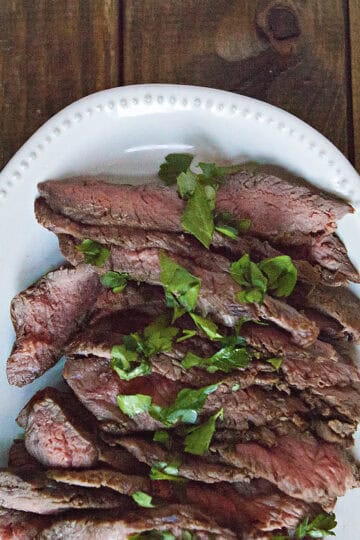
point(52, 53)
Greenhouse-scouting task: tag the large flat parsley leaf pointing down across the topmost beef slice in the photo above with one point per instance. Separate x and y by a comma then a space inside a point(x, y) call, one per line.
point(197, 218)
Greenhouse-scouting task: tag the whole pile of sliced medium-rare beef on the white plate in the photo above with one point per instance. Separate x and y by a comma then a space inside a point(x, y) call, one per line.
point(279, 453)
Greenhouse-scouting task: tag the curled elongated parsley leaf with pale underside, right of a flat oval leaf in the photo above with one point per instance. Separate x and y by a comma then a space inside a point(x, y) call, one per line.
point(185, 408)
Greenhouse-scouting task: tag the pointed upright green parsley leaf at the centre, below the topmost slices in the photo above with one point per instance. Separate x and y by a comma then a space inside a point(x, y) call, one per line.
point(181, 287)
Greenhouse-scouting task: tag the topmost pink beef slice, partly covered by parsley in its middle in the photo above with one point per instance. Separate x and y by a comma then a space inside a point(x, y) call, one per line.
point(279, 209)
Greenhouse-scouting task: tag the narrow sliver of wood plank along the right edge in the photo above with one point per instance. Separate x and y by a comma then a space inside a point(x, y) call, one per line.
point(354, 18)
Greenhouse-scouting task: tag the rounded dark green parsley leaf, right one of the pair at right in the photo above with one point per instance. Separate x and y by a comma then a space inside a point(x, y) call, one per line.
point(281, 274)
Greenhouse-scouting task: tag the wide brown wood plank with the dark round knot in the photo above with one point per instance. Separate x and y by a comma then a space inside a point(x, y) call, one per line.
point(290, 54)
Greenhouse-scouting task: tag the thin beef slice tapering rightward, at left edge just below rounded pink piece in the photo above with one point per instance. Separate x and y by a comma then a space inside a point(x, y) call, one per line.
point(41, 496)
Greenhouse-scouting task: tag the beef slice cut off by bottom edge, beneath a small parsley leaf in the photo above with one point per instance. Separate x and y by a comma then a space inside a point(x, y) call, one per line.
point(173, 518)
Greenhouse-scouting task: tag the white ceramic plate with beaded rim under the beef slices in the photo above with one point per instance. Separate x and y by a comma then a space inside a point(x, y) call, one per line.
point(127, 131)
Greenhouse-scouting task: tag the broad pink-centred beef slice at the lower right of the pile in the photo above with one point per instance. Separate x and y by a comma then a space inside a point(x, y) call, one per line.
point(298, 465)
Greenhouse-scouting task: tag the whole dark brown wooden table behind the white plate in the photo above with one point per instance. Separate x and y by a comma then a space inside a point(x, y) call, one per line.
point(302, 55)
